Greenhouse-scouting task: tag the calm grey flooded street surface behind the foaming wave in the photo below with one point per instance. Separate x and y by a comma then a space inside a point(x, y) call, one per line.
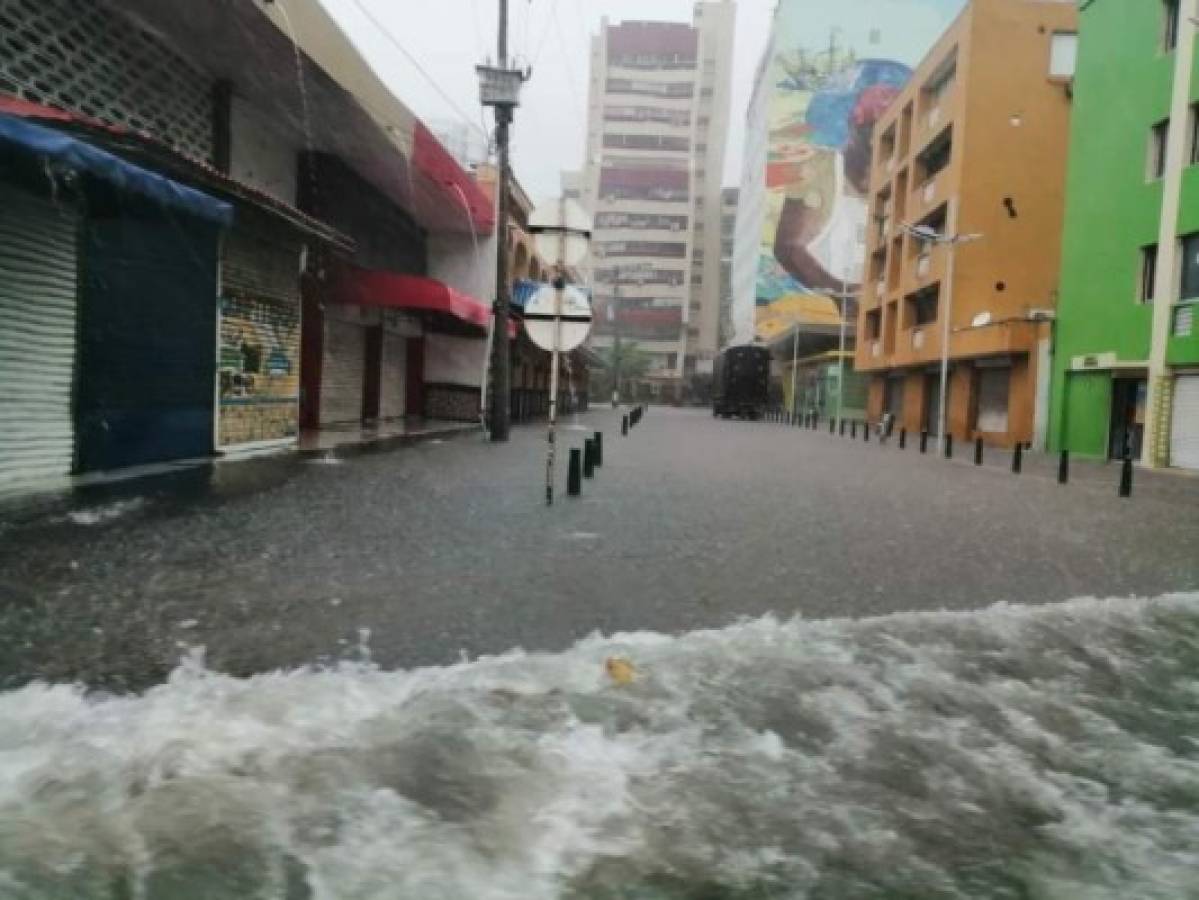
point(420, 555)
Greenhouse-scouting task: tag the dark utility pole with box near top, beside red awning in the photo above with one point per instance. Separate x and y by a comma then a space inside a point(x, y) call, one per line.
point(501, 88)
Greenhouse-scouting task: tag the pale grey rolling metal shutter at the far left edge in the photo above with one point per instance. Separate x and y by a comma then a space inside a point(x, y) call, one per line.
point(39, 264)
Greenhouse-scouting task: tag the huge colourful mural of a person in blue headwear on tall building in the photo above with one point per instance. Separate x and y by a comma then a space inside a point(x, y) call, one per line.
point(835, 70)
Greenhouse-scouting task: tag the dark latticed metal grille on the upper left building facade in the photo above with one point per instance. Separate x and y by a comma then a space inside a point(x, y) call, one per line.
point(79, 56)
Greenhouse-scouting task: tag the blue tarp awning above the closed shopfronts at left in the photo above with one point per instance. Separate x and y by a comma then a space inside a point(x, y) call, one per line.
point(65, 153)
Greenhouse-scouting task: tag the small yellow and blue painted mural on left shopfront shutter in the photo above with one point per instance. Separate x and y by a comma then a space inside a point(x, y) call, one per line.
point(258, 371)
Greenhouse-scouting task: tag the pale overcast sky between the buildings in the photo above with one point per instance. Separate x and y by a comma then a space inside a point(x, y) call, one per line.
point(448, 38)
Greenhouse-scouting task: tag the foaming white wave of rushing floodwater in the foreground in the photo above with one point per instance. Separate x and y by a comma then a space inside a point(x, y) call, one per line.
point(1014, 753)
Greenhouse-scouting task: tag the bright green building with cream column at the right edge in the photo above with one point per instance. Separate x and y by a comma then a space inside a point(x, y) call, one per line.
point(1126, 360)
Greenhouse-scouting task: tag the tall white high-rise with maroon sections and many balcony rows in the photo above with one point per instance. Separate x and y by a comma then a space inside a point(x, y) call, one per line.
point(659, 112)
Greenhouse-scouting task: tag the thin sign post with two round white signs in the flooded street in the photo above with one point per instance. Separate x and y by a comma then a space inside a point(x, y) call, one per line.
point(558, 318)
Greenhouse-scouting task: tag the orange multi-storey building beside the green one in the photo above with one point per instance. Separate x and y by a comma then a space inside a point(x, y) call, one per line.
point(974, 148)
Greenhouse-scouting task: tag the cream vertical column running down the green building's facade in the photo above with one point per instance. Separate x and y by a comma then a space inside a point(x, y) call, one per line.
point(1166, 288)
